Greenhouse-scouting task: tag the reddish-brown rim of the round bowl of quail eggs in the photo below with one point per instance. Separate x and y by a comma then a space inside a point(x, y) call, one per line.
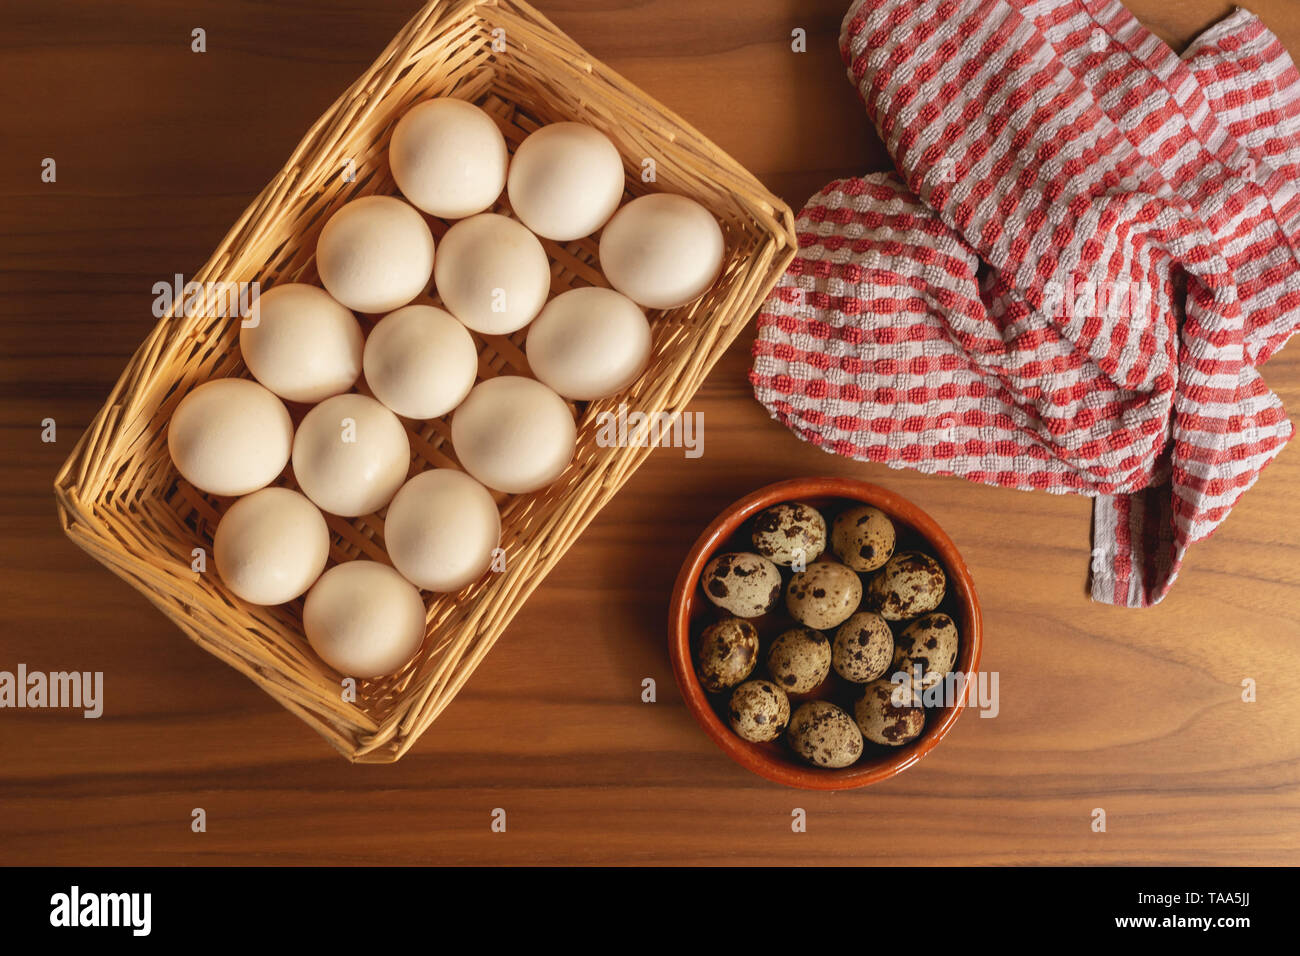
point(752, 756)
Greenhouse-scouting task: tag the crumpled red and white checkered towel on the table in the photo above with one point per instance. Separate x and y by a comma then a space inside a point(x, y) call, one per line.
point(1089, 249)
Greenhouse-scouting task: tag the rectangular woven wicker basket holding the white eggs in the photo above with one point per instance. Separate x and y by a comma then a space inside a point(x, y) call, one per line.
point(123, 501)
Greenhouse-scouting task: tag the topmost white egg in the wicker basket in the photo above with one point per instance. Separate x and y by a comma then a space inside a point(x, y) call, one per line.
point(449, 158)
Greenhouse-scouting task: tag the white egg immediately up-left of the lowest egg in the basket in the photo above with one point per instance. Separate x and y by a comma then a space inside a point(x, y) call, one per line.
point(271, 547)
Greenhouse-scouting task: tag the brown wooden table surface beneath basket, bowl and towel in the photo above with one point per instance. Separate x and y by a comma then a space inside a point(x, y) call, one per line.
point(159, 150)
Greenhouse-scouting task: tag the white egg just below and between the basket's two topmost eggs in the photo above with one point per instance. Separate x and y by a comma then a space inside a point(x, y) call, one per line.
point(492, 274)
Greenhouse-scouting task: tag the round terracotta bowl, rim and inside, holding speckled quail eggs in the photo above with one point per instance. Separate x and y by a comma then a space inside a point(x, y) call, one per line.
point(692, 612)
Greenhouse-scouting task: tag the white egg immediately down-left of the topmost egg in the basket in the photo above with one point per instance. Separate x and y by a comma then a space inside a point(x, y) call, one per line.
point(375, 254)
